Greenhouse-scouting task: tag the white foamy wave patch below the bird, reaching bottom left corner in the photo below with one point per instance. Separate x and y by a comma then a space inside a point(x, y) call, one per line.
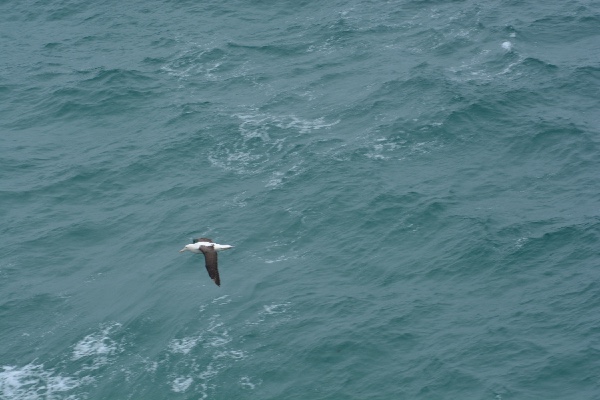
point(109, 355)
